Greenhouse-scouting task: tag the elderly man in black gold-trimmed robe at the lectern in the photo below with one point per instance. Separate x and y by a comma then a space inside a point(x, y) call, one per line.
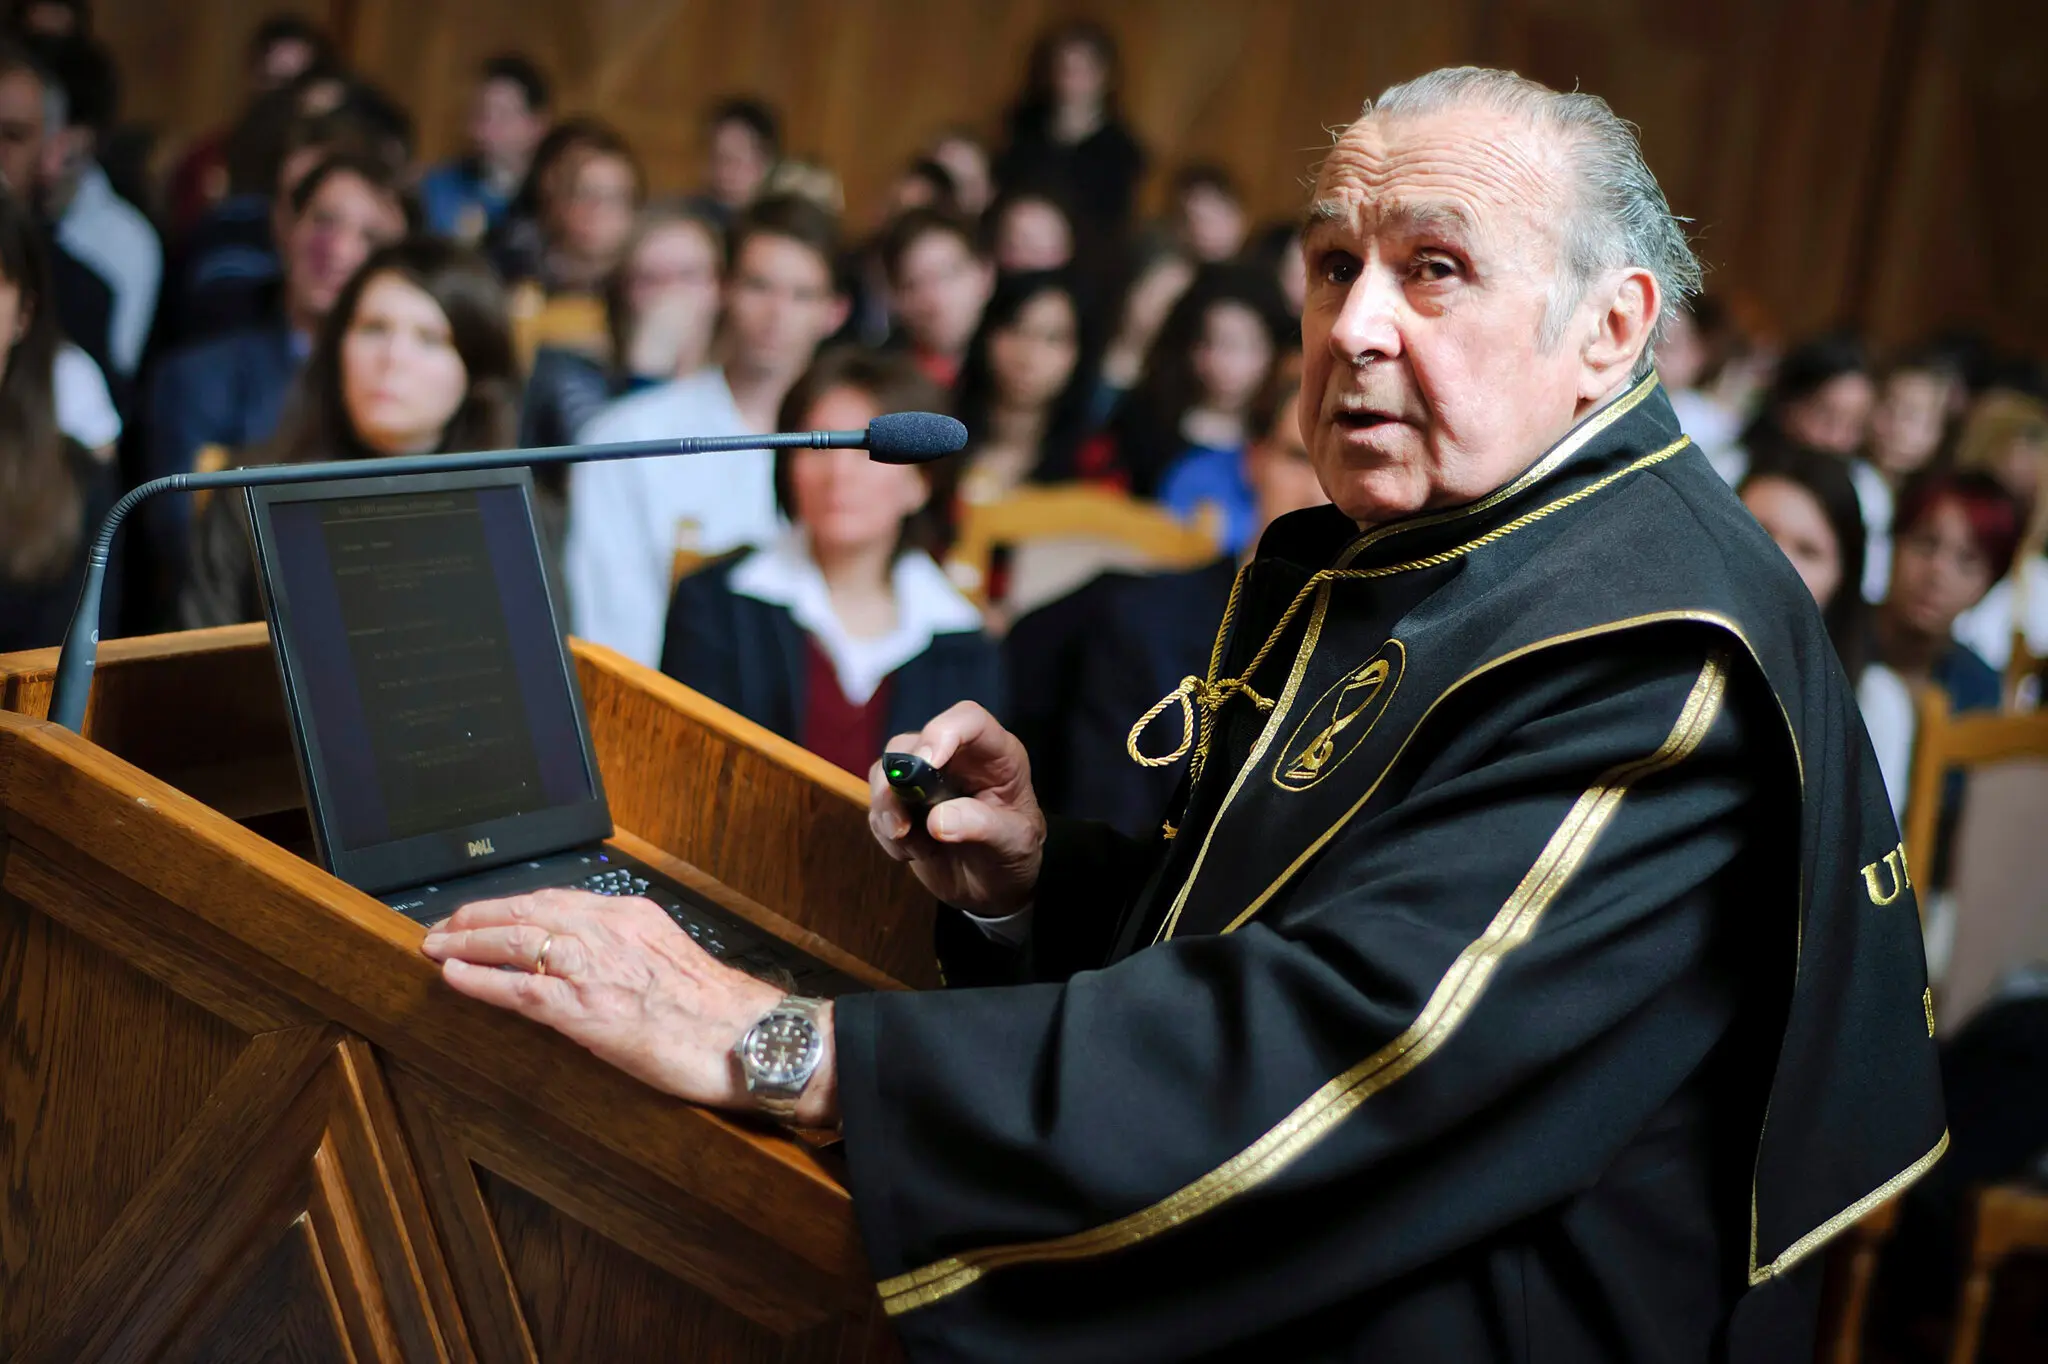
point(1531, 855)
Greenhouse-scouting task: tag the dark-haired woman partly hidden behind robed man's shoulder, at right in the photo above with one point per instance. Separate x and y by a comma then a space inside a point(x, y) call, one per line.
point(1807, 505)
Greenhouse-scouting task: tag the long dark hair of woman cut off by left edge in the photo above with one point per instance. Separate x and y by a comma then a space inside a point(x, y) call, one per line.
point(40, 497)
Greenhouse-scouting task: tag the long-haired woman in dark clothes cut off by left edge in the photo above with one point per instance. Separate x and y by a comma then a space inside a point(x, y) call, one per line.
point(52, 491)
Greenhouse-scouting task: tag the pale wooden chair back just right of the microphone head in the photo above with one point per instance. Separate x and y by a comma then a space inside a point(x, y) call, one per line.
point(1142, 534)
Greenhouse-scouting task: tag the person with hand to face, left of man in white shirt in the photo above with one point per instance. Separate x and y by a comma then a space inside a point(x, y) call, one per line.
point(660, 308)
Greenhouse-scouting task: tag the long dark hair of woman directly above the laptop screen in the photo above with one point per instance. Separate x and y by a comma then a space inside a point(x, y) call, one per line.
point(474, 302)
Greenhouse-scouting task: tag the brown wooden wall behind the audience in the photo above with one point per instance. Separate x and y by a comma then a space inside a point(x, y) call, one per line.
point(1844, 159)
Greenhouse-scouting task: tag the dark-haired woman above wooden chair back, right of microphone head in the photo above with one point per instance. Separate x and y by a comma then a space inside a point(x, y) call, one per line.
point(1025, 388)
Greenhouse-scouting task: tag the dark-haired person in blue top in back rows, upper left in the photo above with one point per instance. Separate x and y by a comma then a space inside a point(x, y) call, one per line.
point(462, 200)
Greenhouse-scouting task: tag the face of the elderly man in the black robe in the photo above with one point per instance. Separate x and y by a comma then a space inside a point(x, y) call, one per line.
point(1433, 253)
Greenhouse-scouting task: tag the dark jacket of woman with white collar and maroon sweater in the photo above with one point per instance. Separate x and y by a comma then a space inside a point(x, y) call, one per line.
point(751, 656)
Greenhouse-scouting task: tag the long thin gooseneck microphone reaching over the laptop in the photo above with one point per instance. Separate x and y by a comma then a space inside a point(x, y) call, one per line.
point(892, 439)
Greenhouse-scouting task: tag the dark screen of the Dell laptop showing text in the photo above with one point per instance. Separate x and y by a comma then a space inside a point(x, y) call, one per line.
point(431, 673)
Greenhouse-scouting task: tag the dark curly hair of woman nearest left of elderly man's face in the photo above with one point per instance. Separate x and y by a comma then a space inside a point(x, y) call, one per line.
point(1148, 421)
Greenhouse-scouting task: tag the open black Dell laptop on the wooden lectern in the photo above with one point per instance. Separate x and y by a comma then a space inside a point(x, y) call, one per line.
point(435, 712)
